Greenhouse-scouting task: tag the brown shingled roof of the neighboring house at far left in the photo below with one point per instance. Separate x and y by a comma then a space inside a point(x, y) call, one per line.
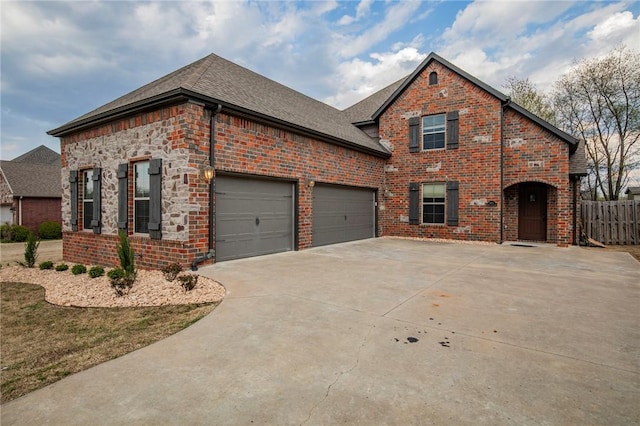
point(32, 179)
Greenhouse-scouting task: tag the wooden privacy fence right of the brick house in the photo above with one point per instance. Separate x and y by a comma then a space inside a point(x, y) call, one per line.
point(612, 222)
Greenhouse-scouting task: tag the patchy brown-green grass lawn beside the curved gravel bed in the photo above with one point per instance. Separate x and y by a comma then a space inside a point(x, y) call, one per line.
point(42, 343)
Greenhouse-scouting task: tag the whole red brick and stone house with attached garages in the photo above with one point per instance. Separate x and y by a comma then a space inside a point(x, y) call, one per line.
point(215, 159)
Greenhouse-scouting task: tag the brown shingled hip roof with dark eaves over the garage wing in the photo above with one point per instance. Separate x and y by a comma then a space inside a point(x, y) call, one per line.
point(214, 80)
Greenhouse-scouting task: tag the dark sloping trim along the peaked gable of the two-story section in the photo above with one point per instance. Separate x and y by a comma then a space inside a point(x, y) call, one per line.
point(573, 142)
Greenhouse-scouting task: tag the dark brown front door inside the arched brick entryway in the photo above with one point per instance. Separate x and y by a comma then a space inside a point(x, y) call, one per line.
point(532, 212)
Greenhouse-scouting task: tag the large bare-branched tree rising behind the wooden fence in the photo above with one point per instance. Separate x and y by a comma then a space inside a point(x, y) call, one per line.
point(598, 100)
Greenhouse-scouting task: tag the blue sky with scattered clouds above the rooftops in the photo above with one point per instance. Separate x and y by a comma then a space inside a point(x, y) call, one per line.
point(60, 60)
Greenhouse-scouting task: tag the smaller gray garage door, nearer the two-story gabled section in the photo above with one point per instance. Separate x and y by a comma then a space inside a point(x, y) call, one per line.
point(342, 214)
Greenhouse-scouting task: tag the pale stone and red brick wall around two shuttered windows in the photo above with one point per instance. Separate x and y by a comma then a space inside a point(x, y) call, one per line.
point(180, 136)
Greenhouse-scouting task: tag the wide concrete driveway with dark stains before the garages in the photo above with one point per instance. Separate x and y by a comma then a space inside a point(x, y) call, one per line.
point(384, 331)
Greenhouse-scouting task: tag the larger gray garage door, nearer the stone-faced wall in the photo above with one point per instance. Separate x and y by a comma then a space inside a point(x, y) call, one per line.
point(253, 217)
